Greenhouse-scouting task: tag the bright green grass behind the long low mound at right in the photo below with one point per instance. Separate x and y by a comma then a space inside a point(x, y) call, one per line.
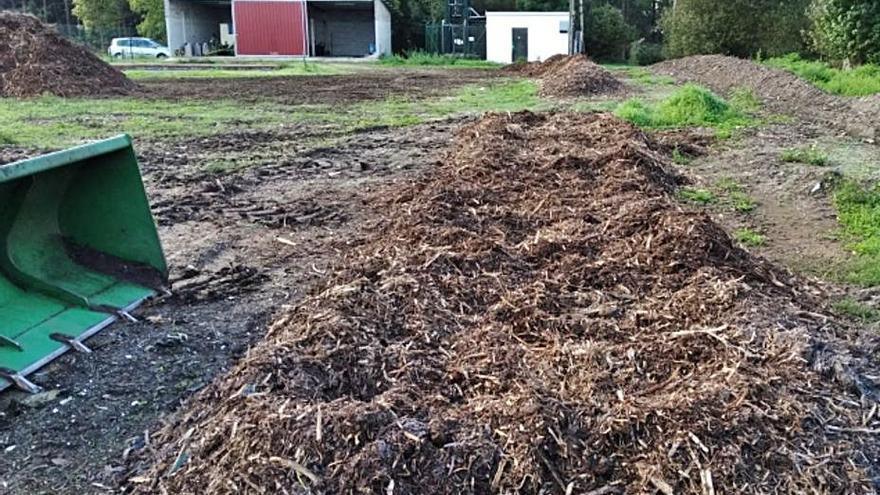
point(863, 80)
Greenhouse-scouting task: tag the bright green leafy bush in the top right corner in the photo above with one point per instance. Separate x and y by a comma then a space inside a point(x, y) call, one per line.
point(846, 30)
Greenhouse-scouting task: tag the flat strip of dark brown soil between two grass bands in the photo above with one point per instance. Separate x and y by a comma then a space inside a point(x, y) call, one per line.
point(372, 85)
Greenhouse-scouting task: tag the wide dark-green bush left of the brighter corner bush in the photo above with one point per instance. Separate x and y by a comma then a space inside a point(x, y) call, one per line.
point(743, 28)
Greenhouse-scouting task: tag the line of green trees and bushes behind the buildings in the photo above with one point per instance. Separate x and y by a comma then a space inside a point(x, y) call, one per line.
point(840, 31)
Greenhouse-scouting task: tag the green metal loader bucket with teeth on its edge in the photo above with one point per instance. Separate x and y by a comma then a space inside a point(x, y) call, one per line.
point(78, 250)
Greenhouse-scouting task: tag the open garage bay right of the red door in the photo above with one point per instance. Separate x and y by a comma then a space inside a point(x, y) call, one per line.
point(343, 32)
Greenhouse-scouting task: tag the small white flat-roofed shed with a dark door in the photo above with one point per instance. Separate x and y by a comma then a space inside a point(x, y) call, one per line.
point(528, 36)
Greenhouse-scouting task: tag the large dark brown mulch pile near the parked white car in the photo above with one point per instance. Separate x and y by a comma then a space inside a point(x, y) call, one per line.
point(35, 60)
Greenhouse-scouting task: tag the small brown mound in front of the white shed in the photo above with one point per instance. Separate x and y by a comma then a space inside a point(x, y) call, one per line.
point(577, 75)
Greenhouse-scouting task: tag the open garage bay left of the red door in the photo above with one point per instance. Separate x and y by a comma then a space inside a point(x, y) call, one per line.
point(194, 23)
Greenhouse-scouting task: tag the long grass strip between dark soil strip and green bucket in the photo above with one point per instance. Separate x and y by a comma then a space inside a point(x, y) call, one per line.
point(52, 123)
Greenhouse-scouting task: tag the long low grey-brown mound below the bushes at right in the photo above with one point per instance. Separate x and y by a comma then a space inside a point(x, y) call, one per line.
point(782, 91)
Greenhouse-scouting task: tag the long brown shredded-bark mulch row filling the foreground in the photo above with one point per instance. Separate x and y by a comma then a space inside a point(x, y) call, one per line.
point(538, 314)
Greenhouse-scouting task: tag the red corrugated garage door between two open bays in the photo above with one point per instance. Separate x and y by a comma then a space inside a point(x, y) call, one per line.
point(275, 27)
